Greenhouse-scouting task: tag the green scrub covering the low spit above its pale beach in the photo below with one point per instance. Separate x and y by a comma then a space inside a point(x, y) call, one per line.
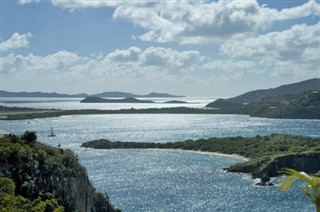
point(251, 147)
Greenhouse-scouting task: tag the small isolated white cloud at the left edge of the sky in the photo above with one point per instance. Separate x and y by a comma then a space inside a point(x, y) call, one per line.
point(16, 41)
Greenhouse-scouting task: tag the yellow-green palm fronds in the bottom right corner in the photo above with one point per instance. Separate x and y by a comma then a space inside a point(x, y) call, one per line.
point(311, 190)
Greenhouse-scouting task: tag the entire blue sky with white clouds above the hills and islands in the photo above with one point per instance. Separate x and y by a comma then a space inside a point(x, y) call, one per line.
point(194, 48)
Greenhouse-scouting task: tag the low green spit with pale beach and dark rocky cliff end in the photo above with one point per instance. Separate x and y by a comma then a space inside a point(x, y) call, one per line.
point(266, 155)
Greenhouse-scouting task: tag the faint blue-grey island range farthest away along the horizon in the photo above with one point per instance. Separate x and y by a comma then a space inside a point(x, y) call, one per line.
point(112, 94)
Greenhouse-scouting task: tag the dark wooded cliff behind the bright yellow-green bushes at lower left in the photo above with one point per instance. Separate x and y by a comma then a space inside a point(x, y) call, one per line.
point(37, 169)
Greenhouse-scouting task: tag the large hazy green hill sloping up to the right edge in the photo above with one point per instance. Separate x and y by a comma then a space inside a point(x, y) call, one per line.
point(296, 101)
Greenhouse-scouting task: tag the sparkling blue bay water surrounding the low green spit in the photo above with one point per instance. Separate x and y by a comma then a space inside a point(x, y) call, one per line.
point(150, 180)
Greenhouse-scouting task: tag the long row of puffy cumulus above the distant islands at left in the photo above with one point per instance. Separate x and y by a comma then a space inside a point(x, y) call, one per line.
point(133, 62)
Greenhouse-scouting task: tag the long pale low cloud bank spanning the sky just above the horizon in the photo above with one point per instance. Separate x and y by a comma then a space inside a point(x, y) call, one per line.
point(135, 69)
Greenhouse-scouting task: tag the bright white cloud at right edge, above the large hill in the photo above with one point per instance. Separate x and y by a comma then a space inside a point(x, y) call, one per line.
point(290, 44)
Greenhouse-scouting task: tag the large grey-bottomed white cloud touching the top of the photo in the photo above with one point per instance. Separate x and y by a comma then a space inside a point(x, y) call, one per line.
point(194, 22)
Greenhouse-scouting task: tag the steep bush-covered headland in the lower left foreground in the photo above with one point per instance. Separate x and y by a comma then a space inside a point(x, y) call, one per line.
point(36, 177)
